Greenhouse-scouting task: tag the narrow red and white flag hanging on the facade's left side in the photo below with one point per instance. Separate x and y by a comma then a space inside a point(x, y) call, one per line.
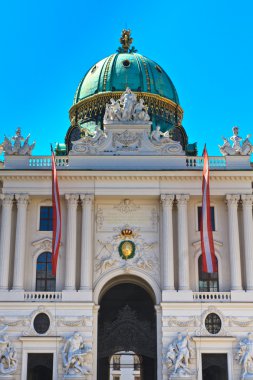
point(56, 217)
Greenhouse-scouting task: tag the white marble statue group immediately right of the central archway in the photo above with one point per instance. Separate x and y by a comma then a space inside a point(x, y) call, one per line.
point(178, 356)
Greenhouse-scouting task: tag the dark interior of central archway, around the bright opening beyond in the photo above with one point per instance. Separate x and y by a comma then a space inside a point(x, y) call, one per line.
point(127, 323)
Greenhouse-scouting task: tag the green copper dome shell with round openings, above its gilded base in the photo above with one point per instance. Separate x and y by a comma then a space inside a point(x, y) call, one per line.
point(126, 69)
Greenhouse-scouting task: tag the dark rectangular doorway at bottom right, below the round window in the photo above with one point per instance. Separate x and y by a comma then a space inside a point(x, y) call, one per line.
point(214, 367)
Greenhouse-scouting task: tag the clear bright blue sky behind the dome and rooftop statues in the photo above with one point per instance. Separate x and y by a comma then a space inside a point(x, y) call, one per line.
point(205, 47)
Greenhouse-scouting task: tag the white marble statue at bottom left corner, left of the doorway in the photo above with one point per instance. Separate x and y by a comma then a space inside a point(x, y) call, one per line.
point(8, 360)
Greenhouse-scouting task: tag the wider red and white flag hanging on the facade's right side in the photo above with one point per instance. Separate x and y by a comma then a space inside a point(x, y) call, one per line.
point(207, 246)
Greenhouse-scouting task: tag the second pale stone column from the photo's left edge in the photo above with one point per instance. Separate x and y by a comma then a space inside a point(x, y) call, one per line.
point(19, 262)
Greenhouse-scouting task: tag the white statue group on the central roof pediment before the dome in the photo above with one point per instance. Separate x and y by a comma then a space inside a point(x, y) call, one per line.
point(127, 108)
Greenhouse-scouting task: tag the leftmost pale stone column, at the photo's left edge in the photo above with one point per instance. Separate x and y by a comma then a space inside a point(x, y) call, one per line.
point(5, 239)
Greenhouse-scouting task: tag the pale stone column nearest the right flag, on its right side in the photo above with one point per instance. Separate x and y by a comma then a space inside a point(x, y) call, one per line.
point(234, 246)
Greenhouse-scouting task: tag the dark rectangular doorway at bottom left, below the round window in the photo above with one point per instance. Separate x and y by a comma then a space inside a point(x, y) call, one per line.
point(40, 367)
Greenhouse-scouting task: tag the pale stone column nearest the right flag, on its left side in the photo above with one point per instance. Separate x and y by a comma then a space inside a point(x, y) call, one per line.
point(183, 243)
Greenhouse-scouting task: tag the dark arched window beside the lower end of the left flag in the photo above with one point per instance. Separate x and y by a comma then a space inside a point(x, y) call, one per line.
point(45, 281)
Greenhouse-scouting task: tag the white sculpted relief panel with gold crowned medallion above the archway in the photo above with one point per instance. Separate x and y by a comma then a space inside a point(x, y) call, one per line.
point(127, 237)
